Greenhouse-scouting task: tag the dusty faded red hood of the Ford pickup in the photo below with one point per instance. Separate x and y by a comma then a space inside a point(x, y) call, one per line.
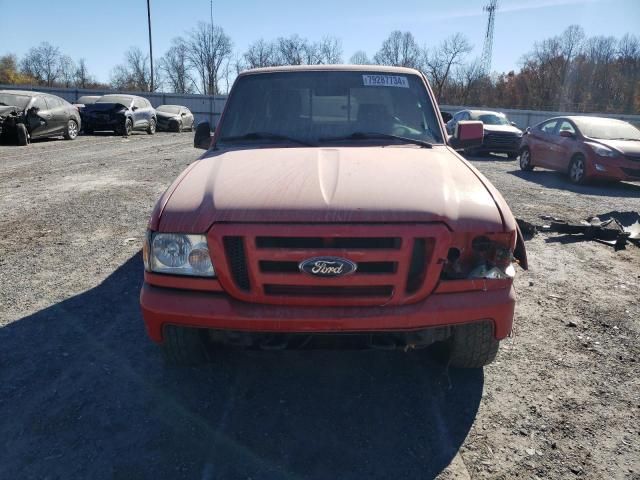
point(350, 184)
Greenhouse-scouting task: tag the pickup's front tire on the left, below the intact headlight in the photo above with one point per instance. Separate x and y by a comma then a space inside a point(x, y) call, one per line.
point(184, 346)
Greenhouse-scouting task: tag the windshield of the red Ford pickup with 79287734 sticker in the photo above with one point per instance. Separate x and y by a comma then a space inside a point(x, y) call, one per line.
point(311, 107)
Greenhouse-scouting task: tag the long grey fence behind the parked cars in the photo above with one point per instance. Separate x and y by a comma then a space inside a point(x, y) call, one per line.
point(209, 107)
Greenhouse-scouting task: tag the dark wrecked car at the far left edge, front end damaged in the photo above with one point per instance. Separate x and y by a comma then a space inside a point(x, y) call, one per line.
point(25, 115)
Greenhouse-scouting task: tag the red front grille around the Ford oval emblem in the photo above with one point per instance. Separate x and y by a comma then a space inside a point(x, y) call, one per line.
point(397, 264)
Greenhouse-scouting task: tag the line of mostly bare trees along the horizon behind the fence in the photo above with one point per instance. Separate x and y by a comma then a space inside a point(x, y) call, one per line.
point(567, 72)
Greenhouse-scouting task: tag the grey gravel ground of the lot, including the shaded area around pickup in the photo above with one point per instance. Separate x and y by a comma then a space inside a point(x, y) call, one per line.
point(84, 393)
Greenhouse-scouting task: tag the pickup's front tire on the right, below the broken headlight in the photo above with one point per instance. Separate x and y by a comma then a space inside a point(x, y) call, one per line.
point(473, 345)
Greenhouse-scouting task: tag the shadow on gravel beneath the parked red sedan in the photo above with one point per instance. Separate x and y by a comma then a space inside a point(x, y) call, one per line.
point(559, 181)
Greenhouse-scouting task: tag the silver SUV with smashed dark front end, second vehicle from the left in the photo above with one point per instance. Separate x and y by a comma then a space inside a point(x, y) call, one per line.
point(121, 114)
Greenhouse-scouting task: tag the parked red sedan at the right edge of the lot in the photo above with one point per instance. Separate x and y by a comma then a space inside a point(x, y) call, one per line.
point(584, 147)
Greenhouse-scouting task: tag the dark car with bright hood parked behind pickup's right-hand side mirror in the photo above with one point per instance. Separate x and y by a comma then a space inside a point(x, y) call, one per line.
point(500, 135)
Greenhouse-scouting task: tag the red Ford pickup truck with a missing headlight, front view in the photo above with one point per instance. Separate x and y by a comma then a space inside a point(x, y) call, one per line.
point(331, 201)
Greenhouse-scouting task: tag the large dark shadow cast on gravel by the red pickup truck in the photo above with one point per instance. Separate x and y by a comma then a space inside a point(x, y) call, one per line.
point(84, 394)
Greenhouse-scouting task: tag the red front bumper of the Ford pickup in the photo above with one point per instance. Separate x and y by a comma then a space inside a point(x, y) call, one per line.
point(164, 306)
